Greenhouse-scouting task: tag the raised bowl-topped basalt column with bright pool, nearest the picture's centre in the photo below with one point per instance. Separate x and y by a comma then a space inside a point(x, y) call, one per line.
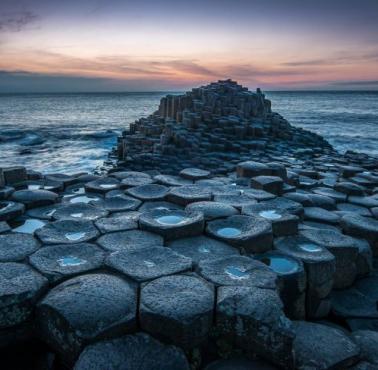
point(172, 224)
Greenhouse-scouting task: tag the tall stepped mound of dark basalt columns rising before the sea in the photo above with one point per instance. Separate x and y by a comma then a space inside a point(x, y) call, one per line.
point(211, 127)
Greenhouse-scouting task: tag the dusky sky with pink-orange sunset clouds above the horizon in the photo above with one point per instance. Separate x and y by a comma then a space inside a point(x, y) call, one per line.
point(172, 45)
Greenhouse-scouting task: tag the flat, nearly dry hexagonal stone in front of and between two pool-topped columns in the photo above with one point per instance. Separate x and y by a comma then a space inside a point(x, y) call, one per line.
point(201, 248)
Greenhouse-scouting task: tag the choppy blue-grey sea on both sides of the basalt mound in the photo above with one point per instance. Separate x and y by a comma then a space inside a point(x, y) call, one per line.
point(74, 132)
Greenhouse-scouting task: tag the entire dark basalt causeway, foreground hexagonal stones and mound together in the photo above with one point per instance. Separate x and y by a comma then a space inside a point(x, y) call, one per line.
point(224, 238)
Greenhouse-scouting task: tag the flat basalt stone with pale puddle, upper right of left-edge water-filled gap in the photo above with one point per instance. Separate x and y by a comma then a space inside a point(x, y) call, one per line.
point(80, 211)
